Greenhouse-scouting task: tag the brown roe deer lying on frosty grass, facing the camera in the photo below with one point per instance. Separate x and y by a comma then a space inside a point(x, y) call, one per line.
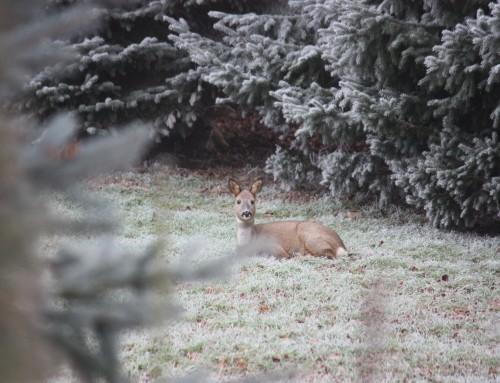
point(288, 237)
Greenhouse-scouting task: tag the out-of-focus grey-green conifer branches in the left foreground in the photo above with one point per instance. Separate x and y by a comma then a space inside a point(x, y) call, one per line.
point(92, 294)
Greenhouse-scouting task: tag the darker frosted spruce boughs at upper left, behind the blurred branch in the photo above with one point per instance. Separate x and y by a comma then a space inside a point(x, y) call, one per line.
point(128, 69)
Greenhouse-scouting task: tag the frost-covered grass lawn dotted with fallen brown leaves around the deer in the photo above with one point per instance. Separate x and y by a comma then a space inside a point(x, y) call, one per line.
point(410, 303)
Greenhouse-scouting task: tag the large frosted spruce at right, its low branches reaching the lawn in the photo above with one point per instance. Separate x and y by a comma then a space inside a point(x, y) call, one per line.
point(367, 92)
